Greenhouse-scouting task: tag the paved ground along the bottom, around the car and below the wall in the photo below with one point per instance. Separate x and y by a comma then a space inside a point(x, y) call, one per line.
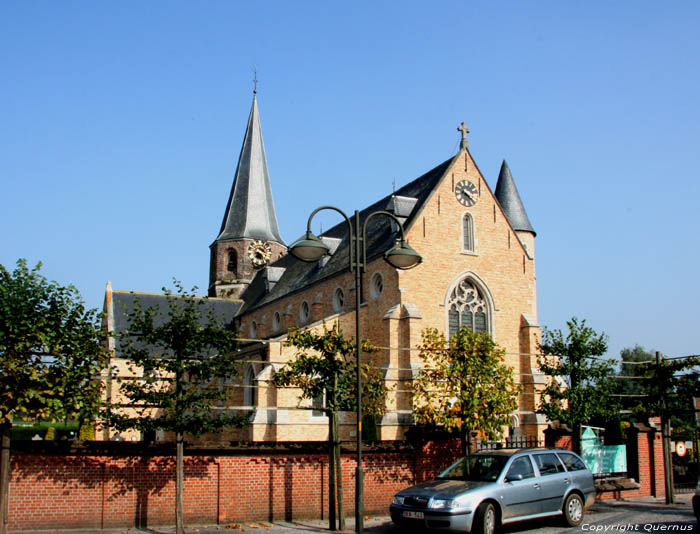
point(605, 517)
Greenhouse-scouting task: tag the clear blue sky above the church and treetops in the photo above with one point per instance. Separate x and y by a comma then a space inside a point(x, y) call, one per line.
point(122, 123)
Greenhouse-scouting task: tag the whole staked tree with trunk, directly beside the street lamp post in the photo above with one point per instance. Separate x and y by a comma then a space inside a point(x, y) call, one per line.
point(324, 368)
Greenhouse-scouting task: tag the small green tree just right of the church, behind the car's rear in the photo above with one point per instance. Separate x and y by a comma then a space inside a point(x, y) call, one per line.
point(581, 386)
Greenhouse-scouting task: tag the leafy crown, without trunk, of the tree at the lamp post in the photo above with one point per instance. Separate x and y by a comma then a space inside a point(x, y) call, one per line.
point(325, 363)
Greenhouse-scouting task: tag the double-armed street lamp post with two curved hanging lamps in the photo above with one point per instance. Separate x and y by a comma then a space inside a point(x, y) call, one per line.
point(401, 256)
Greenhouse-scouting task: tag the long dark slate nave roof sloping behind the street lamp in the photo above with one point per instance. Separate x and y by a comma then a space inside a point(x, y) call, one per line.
point(300, 275)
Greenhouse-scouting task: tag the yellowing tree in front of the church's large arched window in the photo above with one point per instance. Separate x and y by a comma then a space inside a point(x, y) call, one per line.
point(464, 384)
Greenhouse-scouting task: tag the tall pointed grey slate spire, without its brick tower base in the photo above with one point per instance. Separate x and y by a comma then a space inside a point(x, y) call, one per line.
point(250, 211)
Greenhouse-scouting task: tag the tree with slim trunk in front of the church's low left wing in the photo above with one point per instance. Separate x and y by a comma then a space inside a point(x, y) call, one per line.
point(179, 360)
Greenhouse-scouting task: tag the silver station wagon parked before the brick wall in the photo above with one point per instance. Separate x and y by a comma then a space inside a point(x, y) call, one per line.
point(492, 488)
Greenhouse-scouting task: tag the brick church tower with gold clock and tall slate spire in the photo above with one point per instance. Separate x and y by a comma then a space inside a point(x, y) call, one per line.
point(249, 238)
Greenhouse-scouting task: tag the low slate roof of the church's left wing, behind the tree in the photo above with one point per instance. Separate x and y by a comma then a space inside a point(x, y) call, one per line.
point(124, 303)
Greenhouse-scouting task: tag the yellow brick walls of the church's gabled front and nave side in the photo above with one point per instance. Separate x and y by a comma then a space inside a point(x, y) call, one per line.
point(502, 261)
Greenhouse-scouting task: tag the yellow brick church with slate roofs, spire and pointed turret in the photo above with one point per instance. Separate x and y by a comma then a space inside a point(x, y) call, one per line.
point(478, 270)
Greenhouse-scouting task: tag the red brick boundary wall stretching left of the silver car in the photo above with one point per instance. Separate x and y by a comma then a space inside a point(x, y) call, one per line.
point(98, 485)
